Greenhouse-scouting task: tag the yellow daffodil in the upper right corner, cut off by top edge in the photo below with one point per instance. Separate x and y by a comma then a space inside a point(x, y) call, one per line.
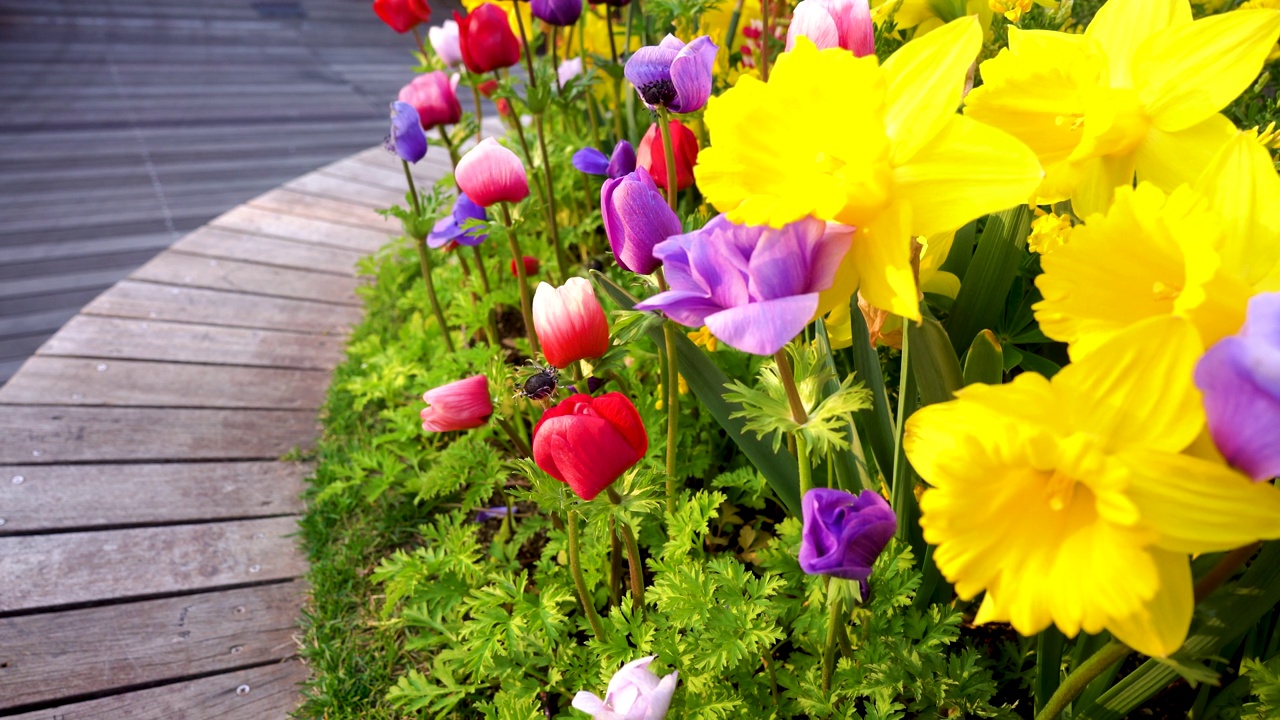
point(1139, 93)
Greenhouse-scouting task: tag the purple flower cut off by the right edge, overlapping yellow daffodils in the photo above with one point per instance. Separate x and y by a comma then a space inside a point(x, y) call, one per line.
point(1240, 379)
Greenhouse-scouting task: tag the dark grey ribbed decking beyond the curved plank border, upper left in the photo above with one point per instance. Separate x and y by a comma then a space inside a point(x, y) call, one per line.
point(126, 125)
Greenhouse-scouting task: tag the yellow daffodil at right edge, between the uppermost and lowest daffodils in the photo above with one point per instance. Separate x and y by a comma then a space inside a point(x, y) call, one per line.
point(1199, 254)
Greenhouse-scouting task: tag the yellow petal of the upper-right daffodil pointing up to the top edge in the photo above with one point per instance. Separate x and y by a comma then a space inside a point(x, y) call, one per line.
point(1122, 26)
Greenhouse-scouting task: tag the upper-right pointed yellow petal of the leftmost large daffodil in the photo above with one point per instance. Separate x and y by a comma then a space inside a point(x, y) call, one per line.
point(926, 83)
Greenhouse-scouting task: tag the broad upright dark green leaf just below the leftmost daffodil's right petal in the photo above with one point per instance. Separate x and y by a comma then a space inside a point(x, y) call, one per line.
point(989, 276)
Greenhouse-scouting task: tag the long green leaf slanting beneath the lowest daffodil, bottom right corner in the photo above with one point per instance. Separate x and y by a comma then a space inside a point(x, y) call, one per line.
point(1224, 617)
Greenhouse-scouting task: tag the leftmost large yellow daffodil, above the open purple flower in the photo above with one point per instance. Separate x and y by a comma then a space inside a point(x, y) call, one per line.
point(880, 148)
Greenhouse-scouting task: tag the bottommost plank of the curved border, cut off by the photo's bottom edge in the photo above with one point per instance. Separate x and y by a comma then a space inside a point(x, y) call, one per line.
point(269, 692)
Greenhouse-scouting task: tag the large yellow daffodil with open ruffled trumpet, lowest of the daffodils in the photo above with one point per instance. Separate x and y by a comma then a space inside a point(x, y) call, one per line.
point(1069, 502)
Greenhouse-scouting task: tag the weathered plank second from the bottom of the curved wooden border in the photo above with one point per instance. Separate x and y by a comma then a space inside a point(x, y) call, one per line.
point(80, 653)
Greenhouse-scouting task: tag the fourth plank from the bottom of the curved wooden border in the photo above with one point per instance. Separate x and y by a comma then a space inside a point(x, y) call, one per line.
point(60, 498)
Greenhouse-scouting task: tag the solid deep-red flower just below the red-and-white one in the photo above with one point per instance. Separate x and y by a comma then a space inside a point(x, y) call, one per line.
point(588, 443)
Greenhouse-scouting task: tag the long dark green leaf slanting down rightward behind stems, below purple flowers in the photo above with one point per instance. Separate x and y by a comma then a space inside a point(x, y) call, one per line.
point(707, 384)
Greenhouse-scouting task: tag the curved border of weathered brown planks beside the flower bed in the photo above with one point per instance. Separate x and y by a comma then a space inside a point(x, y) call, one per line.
point(147, 562)
